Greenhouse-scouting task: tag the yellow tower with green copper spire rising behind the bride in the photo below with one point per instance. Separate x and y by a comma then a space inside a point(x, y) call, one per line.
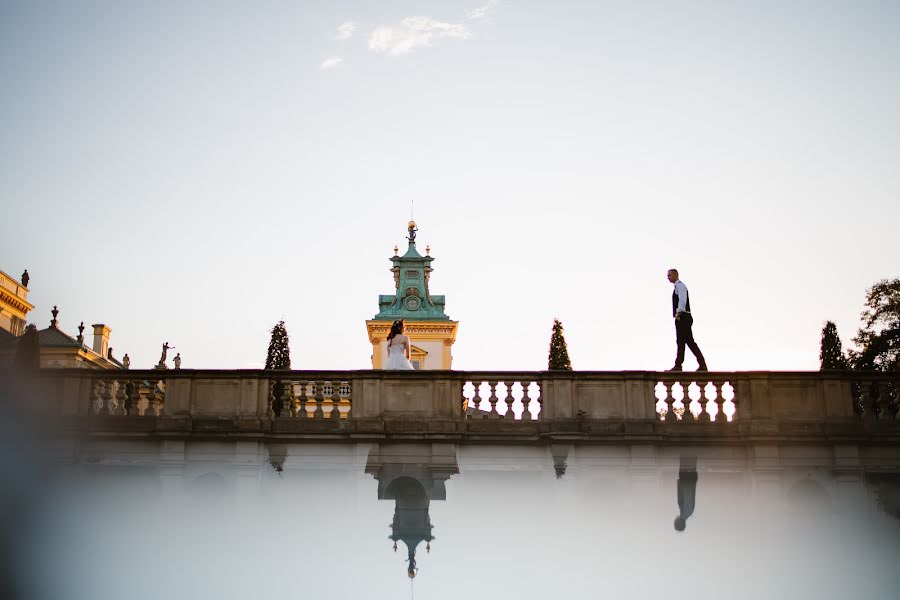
point(431, 332)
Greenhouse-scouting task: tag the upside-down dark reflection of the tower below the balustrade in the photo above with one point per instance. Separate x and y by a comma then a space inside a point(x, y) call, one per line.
point(412, 477)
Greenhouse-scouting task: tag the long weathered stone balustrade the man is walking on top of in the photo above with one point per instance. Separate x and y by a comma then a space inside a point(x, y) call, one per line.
point(459, 403)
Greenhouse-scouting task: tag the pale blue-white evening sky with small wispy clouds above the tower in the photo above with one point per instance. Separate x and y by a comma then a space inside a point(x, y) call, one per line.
point(194, 172)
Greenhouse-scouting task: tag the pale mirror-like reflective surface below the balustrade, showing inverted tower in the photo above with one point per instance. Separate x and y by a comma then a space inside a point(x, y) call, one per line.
point(225, 520)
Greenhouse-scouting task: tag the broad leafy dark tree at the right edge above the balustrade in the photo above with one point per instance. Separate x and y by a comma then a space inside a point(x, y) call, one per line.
point(878, 340)
